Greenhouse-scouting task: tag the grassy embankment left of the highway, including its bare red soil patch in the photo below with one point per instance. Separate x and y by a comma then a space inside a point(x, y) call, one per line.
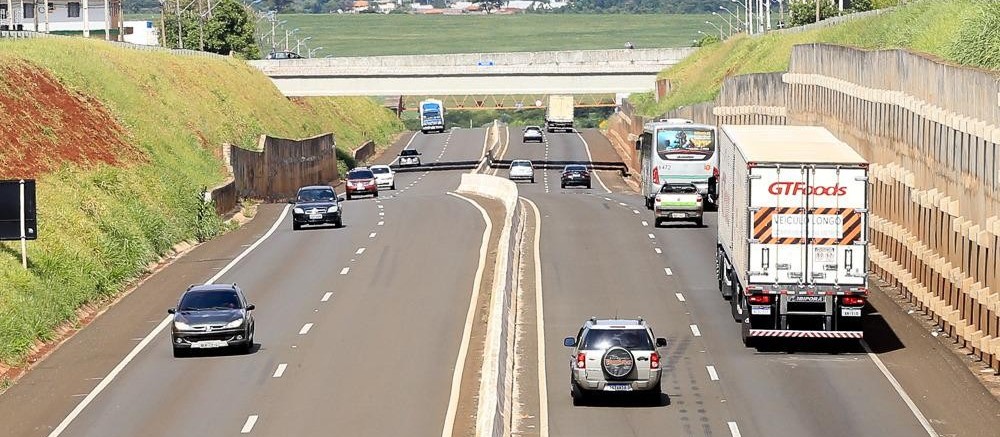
point(123, 143)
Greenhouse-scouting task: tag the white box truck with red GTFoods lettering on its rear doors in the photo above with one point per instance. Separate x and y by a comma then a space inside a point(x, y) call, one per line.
point(793, 232)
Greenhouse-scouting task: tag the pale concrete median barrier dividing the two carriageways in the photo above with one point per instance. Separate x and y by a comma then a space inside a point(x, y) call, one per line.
point(493, 412)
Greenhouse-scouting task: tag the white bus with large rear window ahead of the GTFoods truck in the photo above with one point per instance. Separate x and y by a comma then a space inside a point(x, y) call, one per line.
point(678, 150)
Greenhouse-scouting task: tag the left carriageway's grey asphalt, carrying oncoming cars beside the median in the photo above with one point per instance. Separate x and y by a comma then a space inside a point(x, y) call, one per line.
point(356, 369)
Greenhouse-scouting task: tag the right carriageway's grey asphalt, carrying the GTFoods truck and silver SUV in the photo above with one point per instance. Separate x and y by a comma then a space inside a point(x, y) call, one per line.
point(600, 255)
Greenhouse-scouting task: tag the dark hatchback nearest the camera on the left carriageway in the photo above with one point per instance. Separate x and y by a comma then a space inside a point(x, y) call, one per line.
point(212, 317)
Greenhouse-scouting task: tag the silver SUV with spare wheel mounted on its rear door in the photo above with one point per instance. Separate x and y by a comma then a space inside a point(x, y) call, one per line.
point(613, 355)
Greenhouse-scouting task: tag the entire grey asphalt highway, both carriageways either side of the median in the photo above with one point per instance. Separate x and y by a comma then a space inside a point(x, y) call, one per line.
point(359, 328)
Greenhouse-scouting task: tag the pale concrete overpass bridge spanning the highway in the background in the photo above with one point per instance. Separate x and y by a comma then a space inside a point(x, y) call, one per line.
point(583, 72)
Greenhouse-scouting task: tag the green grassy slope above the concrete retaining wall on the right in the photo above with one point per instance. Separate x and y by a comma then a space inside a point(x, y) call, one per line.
point(961, 31)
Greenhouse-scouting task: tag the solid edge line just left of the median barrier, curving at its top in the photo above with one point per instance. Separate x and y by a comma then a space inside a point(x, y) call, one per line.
point(463, 349)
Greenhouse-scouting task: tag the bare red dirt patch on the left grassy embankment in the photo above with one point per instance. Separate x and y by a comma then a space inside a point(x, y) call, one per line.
point(44, 125)
